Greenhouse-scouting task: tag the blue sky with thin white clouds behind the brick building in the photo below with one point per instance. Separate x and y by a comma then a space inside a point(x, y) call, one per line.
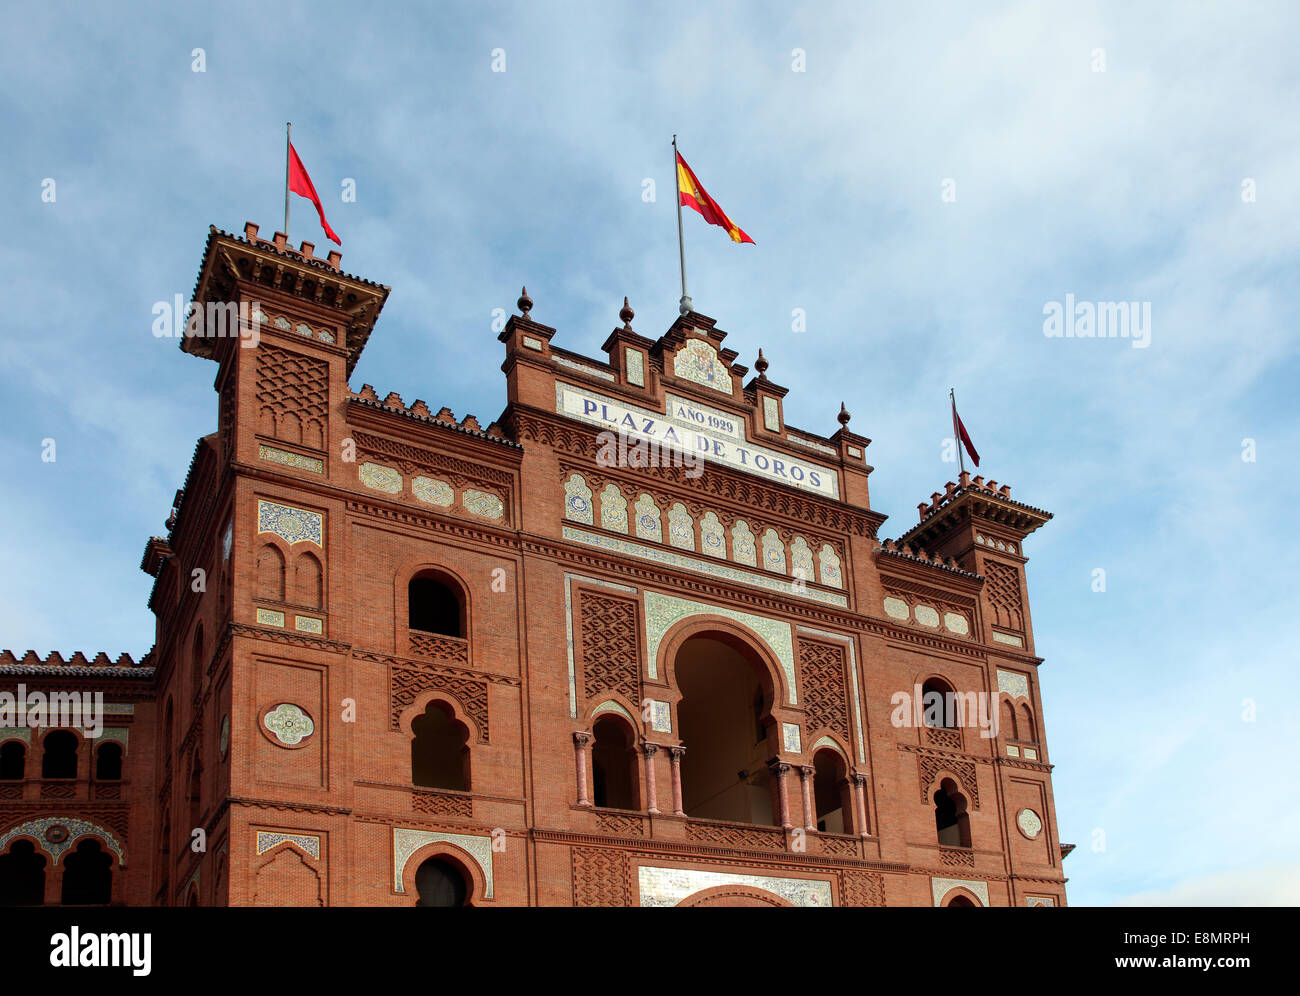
point(1124, 184)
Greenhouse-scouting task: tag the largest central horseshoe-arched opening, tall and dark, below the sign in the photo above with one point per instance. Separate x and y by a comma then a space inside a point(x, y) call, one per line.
point(726, 704)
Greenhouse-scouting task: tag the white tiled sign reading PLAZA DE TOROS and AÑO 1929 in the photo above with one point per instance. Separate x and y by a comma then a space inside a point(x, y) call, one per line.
point(696, 428)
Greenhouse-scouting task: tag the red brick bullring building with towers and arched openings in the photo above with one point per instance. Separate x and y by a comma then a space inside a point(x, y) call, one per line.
point(634, 643)
